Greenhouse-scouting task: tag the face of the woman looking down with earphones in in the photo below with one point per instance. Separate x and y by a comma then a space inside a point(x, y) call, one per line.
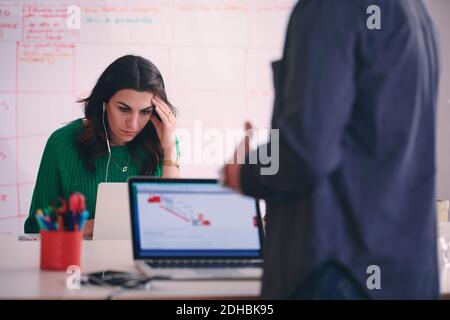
point(128, 112)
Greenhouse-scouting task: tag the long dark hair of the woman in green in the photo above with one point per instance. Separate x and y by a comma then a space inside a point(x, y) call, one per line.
point(127, 72)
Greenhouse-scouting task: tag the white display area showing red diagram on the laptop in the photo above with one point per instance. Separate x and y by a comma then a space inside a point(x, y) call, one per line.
point(189, 221)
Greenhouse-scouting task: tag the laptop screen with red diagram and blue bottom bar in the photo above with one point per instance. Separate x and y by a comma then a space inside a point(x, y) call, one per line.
point(192, 219)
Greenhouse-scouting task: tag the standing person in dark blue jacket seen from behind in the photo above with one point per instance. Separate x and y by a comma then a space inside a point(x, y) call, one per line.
point(356, 112)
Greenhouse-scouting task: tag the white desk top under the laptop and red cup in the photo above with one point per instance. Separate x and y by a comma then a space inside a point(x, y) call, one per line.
point(21, 278)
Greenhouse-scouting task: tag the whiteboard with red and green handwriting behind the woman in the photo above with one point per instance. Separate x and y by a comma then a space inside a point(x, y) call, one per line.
point(214, 56)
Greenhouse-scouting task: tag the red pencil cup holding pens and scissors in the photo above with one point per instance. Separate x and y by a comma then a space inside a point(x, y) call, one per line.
point(60, 249)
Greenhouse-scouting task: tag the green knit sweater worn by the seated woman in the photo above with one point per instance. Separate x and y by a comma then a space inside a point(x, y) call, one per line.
point(62, 172)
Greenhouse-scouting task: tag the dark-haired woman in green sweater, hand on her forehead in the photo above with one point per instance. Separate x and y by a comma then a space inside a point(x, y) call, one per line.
point(128, 130)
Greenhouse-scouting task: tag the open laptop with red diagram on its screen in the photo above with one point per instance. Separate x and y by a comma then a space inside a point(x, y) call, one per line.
point(194, 229)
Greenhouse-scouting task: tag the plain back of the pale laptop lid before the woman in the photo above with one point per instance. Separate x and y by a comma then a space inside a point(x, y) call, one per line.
point(112, 212)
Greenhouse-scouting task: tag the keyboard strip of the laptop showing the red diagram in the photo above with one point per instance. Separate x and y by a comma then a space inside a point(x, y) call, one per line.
point(198, 263)
